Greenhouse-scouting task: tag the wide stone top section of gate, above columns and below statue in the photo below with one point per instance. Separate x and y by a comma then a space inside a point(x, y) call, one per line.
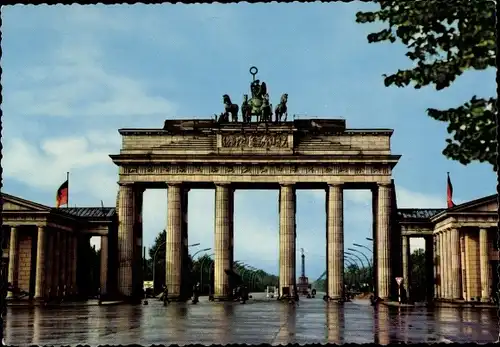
point(309, 151)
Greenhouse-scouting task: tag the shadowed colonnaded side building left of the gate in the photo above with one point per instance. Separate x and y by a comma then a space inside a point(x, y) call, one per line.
point(46, 249)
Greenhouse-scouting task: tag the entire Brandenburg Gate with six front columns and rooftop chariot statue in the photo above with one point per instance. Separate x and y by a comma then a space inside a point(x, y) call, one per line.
point(257, 152)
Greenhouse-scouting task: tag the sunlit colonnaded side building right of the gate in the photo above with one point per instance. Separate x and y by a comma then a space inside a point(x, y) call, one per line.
point(461, 245)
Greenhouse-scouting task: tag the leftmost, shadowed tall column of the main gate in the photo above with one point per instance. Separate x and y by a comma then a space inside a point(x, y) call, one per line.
point(126, 216)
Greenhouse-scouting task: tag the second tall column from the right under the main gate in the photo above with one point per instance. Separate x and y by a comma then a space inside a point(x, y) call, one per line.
point(335, 241)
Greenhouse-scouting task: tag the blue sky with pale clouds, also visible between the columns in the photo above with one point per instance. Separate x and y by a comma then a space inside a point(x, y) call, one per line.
point(73, 75)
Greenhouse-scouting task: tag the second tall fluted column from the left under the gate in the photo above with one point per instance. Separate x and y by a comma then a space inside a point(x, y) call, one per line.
point(173, 256)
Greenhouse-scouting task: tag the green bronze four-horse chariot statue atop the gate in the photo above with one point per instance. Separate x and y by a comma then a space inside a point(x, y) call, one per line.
point(258, 107)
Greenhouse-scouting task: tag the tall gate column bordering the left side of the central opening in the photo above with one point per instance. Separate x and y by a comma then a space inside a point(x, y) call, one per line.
point(224, 195)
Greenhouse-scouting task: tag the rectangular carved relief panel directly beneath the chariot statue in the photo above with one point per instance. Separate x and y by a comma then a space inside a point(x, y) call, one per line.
point(255, 141)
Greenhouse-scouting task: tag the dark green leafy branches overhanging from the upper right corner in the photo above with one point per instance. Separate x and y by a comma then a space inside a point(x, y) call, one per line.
point(444, 40)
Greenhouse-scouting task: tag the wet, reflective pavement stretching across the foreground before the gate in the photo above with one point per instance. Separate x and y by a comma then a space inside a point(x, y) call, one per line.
point(258, 321)
